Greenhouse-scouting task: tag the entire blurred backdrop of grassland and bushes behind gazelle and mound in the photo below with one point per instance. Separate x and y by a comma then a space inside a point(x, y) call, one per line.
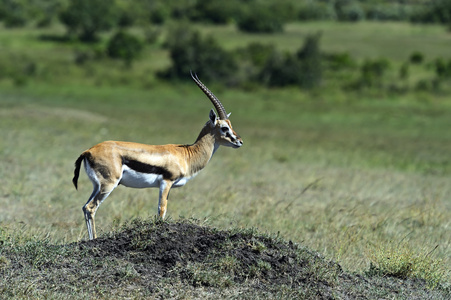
point(344, 108)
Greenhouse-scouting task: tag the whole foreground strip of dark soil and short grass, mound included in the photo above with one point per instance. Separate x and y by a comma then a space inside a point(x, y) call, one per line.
point(182, 259)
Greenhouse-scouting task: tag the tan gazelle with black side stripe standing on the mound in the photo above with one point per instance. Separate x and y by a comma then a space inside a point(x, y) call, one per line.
point(111, 163)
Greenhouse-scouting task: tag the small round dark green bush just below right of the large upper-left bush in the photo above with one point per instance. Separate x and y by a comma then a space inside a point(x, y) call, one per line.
point(124, 46)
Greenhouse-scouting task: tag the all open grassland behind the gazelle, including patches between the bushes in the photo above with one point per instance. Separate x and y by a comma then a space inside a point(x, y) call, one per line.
point(349, 176)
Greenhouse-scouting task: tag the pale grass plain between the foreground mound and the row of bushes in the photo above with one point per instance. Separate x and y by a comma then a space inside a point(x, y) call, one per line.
point(329, 192)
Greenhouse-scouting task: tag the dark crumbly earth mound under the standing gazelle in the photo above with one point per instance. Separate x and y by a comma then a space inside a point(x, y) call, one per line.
point(202, 256)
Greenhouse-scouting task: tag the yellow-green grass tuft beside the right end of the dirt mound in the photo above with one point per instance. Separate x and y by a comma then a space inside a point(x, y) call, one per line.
point(400, 261)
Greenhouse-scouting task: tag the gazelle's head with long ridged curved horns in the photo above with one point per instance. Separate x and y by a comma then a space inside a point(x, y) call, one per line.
point(222, 128)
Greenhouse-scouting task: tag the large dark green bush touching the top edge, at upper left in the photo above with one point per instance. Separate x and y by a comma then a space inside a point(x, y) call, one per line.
point(85, 18)
